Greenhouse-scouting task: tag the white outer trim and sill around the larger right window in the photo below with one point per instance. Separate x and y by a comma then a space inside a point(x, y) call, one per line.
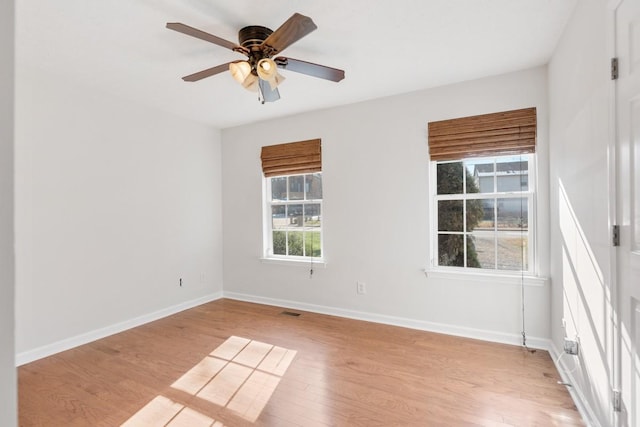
point(530, 277)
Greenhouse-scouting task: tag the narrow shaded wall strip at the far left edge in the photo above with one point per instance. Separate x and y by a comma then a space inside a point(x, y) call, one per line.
point(8, 407)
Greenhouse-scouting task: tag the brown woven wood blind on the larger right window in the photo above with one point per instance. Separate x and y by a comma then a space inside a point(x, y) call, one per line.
point(508, 132)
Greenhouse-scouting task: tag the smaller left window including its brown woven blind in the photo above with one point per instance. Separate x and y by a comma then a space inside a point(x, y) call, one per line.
point(293, 200)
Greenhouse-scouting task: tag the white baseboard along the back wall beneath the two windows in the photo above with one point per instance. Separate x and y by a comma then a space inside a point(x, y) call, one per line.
point(461, 331)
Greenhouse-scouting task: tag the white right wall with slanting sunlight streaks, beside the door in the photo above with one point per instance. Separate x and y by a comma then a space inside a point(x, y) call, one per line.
point(579, 87)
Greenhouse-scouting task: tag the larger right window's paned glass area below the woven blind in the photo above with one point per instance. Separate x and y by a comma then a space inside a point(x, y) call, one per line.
point(483, 209)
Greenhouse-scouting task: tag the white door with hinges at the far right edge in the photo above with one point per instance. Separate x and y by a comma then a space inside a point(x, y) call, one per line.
point(628, 206)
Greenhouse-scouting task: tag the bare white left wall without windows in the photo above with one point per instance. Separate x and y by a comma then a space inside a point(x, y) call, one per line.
point(114, 204)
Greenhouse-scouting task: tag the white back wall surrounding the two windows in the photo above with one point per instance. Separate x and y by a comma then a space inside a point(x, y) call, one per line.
point(376, 218)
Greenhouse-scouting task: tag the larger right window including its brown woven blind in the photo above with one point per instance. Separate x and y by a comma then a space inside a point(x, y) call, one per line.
point(482, 193)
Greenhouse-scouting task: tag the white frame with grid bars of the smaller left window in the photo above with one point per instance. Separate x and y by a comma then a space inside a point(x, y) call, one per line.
point(268, 203)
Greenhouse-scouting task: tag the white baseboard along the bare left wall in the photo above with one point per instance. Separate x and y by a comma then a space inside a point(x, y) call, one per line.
point(66, 344)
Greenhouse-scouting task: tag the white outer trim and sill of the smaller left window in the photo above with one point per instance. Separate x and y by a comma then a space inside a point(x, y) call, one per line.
point(267, 238)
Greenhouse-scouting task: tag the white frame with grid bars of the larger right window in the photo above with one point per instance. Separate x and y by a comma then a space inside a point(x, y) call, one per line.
point(530, 195)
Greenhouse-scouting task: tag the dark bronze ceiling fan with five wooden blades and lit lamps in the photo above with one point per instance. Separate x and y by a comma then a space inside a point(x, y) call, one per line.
point(259, 44)
